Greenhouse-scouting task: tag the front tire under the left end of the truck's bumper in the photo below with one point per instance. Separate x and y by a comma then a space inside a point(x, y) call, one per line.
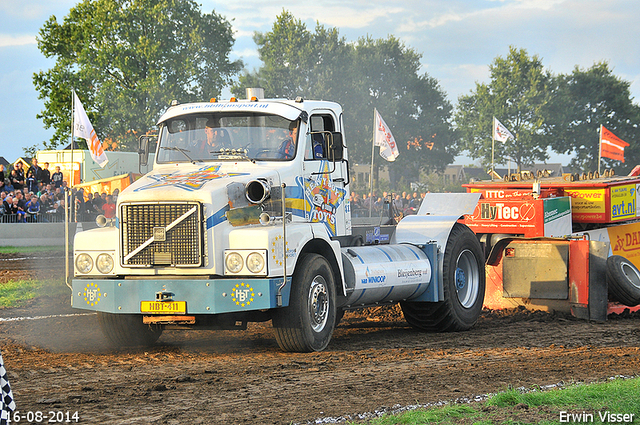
point(127, 330)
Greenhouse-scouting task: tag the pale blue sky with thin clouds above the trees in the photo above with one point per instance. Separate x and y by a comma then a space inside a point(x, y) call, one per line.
point(457, 39)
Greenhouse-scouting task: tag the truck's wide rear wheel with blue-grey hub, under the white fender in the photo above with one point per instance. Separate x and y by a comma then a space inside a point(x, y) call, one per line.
point(463, 280)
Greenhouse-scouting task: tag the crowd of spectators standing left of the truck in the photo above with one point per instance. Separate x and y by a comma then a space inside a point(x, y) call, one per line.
point(36, 195)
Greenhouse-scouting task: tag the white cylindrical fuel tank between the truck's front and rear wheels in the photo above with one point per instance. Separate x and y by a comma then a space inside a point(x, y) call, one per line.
point(385, 273)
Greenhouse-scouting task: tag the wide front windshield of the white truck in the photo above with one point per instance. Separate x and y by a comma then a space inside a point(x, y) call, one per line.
point(226, 136)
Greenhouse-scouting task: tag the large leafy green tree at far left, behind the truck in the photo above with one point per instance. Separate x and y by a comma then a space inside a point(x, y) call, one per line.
point(127, 60)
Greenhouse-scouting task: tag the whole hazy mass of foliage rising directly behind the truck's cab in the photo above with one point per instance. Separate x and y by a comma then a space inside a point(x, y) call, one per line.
point(368, 74)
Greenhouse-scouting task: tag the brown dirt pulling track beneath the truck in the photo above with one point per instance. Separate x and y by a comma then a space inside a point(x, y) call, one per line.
point(375, 360)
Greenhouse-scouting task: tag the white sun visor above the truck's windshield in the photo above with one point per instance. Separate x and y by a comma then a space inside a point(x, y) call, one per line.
point(272, 108)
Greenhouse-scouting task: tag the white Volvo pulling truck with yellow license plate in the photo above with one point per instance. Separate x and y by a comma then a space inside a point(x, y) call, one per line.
point(246, 217)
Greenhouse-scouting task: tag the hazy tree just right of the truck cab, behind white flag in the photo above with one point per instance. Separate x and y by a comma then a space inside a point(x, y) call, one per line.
point(412, 104)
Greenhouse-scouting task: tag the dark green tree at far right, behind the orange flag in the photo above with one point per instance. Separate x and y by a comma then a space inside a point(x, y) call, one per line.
point(586, 99)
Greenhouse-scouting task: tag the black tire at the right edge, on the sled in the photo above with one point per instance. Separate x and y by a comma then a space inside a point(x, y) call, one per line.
point(624, 280)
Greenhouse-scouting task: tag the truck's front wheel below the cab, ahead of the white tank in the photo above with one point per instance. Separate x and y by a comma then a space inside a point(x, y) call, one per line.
point(307, 323)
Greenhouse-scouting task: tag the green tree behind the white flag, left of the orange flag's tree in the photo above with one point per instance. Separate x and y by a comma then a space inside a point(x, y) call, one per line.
point(518, 95)
